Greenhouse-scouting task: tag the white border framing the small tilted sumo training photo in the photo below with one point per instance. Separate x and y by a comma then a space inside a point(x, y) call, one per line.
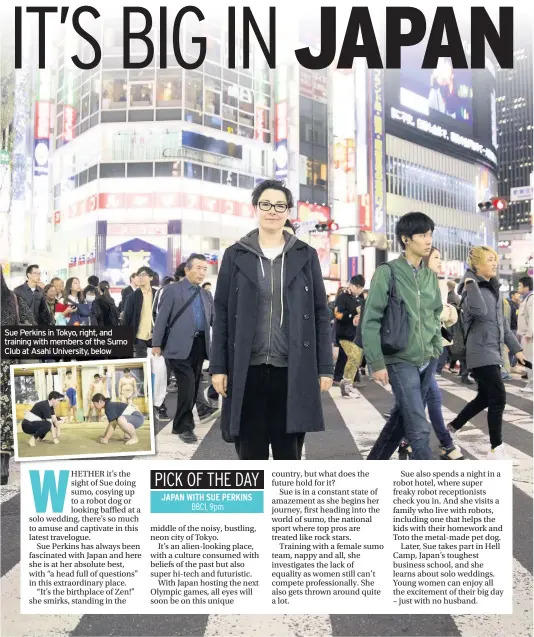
point(111, 454)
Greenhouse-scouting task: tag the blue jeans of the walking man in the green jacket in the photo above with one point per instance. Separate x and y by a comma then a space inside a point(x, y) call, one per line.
point(408, 417)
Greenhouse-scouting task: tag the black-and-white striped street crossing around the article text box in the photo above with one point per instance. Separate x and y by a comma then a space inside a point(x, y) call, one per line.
point(352, 428)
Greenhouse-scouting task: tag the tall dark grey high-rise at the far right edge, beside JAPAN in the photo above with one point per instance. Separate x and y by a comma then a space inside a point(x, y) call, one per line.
point(514, 119)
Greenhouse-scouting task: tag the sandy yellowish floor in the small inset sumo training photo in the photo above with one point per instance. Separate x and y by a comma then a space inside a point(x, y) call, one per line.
point(81, 439)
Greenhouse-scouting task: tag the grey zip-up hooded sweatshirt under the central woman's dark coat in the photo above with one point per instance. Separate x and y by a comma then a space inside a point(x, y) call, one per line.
point(271, 337)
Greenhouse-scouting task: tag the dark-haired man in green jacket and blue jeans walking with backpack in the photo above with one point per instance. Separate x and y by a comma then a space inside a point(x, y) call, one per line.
point(402, 336)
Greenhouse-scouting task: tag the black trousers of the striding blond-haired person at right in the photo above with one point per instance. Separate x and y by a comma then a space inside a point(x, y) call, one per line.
point(491, 393)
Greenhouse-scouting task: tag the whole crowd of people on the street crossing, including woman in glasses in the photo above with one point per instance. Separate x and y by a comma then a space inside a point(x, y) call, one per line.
point(271, 336)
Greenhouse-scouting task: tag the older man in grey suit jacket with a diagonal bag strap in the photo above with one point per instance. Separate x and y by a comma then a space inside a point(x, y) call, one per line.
point(188, 344)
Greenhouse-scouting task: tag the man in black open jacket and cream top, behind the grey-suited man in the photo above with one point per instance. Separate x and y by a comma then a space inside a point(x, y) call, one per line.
point(138, 312)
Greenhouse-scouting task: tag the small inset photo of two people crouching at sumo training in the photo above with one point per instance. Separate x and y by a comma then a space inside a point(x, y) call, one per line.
point(82, 409)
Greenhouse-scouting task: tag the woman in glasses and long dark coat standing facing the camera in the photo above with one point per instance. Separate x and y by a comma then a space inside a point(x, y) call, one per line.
point(271, 353)
